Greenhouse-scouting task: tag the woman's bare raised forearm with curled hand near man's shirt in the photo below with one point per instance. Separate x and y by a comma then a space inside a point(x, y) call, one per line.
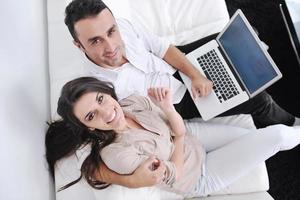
point(162, 98)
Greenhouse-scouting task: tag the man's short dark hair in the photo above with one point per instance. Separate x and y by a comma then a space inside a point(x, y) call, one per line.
point(81, 9)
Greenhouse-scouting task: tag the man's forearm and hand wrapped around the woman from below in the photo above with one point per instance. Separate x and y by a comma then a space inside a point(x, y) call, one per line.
point(144, 176)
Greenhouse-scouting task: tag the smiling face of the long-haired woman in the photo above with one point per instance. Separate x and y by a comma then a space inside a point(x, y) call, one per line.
point(97, 110)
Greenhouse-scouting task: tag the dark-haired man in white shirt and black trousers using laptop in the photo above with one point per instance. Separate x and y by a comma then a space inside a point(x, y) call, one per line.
point(134, 60)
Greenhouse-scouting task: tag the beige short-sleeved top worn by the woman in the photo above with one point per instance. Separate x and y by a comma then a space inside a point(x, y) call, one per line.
point(134, 146)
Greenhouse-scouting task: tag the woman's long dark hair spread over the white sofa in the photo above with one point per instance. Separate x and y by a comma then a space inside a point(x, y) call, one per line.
point(65, 136)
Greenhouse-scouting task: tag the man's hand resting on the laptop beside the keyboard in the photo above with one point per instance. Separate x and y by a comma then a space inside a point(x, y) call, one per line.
point(201, 86)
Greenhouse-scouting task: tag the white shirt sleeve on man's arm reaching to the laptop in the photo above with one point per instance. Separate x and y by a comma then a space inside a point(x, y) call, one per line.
point(153, 43)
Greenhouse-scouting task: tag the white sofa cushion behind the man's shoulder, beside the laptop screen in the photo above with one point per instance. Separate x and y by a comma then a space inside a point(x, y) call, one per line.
point(181, 22)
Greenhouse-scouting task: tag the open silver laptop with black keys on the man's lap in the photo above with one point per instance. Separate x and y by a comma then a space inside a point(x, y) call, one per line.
point(238, 65)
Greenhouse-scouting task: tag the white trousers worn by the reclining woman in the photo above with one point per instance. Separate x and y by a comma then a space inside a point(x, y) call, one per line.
point(232, 152)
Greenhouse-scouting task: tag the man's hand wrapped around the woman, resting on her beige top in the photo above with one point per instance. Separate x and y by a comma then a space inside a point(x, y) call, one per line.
point(149, 173)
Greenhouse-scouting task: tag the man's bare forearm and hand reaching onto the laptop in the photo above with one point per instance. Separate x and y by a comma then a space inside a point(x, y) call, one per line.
point(201, 86)
